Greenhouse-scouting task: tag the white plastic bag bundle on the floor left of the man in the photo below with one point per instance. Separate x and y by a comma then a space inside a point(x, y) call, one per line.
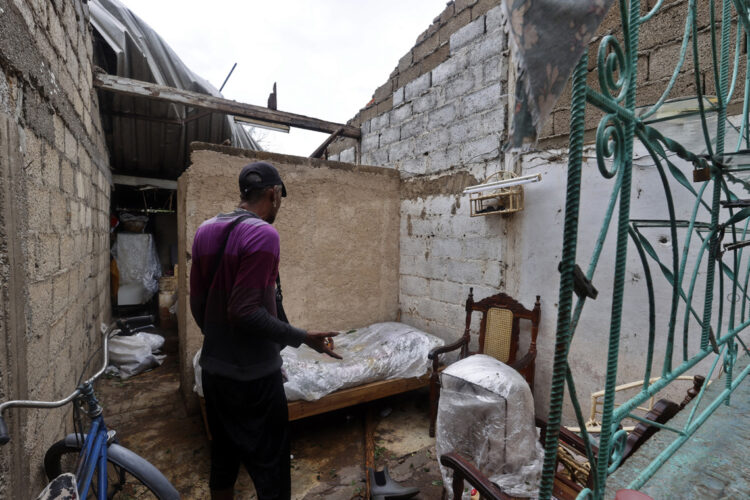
point(134, 354)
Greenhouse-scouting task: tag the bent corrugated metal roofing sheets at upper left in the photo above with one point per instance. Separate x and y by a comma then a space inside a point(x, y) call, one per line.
point(145, 137)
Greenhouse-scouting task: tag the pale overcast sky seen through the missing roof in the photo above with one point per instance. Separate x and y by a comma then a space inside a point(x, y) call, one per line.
point(327, 57)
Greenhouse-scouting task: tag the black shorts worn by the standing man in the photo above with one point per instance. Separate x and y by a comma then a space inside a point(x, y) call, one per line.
point(249, 422)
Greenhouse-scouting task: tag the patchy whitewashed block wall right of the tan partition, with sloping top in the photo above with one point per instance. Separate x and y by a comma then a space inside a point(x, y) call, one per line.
point(441, 125)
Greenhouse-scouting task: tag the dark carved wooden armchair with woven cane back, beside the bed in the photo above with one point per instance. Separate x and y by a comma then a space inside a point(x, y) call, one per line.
point(498, 337)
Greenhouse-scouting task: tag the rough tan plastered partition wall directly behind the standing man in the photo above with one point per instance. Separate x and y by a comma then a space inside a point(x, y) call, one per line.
point(339, 238)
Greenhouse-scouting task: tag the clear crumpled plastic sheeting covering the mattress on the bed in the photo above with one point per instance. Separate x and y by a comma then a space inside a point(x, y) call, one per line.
point(377, 352)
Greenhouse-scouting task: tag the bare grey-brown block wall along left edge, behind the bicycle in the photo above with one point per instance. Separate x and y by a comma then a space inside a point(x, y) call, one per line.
point(54, 214)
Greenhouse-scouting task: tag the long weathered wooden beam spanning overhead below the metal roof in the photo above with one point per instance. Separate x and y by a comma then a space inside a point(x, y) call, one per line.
point(127, 86)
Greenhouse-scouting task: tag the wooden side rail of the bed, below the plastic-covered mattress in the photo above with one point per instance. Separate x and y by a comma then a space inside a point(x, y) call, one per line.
point(355, 395)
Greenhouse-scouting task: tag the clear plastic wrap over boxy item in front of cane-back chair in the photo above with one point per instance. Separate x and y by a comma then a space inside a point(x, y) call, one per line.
point(486, 414)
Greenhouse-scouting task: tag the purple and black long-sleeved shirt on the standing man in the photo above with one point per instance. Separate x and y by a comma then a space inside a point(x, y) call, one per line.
point(237, 312)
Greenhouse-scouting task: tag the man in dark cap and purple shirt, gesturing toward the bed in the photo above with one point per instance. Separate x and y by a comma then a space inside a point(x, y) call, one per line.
point(235, 262)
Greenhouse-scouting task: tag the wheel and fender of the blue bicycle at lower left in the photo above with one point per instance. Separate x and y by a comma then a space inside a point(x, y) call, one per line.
point(128, 475)
